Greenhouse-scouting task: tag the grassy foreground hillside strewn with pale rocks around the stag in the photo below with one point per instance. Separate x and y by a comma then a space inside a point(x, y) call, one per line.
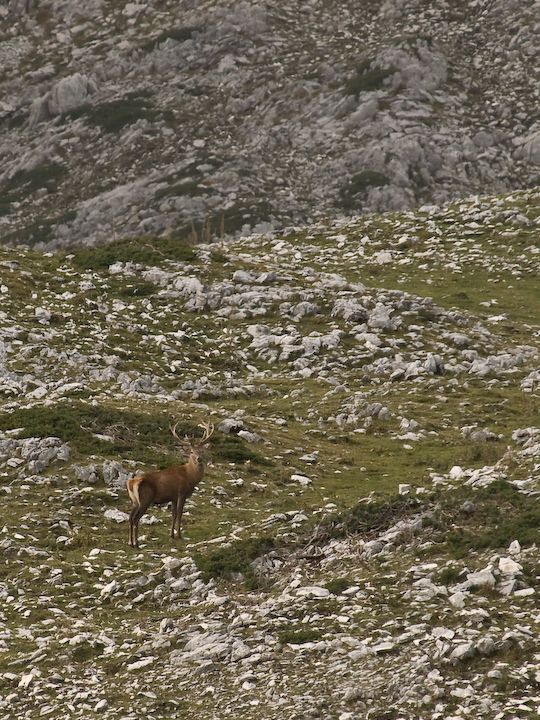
point(365, 542)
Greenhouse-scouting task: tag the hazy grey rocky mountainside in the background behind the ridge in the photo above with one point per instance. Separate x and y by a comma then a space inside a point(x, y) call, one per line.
point(157, 117)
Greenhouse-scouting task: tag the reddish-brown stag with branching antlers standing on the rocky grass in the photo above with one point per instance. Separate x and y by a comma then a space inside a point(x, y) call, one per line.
point(174, 484)
